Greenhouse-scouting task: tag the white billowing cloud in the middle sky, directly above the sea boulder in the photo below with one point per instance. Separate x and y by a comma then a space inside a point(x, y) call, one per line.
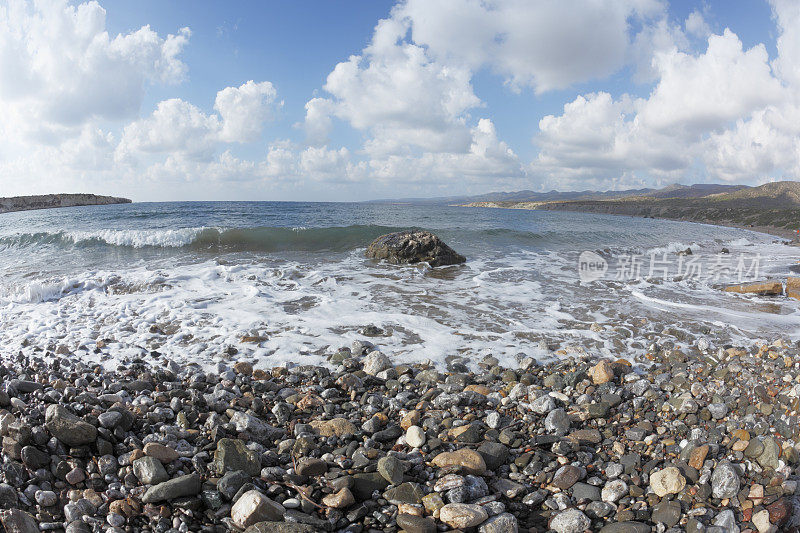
point(398, 95)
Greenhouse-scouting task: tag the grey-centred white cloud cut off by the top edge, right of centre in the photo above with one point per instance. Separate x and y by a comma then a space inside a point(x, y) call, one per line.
point(549, 44)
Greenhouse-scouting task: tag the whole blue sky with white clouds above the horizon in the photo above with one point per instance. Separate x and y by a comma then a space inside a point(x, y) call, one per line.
point(357, 100)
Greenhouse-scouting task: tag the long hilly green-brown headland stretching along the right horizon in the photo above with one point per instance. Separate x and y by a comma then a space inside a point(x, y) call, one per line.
point(773, 208)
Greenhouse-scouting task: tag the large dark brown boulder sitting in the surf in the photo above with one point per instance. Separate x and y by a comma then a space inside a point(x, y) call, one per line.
point(414, 246)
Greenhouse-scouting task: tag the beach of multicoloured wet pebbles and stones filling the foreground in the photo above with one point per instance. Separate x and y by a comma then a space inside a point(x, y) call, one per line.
point(699, 440)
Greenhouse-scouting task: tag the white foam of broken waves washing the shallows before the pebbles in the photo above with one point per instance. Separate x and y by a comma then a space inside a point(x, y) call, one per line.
point(517, 302)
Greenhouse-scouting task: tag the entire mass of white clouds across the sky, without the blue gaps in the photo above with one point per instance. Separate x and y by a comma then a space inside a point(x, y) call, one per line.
point(703, 108)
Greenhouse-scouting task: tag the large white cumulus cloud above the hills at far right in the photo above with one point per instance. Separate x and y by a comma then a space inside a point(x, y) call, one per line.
point(722, 114)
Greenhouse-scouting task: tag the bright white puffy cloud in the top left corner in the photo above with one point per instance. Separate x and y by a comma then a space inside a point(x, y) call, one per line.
point(59, 67)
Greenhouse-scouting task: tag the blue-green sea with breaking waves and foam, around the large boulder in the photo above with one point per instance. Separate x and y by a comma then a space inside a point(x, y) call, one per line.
point(281, 283)
